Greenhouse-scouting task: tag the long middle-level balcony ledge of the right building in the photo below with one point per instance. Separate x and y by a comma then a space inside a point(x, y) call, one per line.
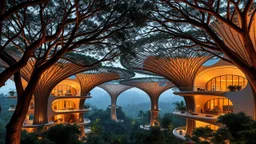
point(210, 118)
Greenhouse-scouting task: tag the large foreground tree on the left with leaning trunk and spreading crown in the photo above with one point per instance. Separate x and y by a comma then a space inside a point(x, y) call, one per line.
point(51, 30)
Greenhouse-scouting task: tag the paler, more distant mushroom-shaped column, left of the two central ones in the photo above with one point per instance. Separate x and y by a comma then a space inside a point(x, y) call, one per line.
point(114, 89)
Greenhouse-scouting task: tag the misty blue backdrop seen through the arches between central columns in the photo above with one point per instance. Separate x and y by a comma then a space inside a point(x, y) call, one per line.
point(133, 100)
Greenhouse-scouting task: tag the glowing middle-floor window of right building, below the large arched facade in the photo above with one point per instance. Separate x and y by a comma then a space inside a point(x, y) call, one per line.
point(218, 106)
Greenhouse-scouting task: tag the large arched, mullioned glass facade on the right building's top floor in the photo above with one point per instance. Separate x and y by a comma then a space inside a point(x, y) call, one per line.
point(222, 83)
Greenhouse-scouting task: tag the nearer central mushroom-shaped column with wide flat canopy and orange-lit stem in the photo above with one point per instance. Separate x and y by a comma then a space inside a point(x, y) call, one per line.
point(154, 87)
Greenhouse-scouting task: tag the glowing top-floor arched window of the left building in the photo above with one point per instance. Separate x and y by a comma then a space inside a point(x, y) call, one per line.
point(63, 90)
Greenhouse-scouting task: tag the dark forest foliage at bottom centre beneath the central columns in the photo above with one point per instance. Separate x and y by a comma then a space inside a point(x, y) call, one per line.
point(106, 131)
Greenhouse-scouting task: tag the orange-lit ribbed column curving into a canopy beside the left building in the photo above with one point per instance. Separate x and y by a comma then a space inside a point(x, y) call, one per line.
point(49, 79)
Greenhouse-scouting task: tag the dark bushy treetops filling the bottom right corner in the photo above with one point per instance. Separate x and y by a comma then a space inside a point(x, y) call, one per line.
point(237, 128)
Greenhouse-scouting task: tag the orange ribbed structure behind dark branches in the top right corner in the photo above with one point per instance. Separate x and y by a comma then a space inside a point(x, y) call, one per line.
point(234, 40)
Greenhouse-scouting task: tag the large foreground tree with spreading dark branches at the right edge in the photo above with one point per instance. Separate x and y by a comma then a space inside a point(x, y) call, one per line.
point(216, 26)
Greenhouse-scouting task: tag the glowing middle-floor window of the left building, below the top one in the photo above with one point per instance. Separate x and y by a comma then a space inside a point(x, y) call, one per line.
point(63, 105)
